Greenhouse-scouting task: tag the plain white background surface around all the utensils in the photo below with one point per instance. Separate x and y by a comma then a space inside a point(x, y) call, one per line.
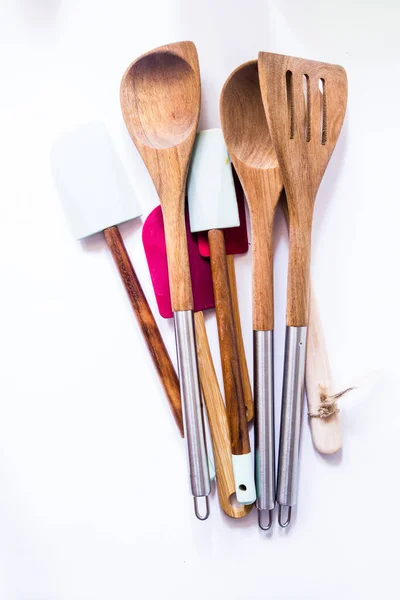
point(94, 498)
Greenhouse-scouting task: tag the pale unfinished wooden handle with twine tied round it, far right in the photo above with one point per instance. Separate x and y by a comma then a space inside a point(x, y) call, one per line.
point(326, 432)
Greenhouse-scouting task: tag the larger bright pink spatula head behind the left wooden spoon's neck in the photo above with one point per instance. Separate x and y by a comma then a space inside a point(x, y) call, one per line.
point(153, 237)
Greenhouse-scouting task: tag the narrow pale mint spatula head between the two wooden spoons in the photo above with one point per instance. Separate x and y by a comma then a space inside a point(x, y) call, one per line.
point(211, 190)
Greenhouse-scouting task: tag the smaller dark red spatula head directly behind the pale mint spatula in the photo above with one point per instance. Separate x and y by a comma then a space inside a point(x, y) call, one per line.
point(236, 240)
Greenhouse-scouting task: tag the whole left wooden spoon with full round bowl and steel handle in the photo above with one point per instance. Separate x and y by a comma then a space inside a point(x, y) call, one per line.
point(160, 101)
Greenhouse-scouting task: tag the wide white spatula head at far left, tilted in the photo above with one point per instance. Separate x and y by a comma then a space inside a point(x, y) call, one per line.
point(94, 187)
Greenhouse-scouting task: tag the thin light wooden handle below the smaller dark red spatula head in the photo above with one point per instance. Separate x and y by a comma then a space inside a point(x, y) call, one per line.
point(244, 371)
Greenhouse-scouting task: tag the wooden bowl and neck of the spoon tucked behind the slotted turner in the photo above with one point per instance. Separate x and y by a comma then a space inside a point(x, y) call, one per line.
point(250, 146)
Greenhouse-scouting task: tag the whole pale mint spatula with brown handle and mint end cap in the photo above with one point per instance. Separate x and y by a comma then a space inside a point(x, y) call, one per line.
point(213, 207)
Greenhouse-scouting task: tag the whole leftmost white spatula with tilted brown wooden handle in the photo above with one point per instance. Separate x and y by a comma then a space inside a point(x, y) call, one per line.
point(97, 196)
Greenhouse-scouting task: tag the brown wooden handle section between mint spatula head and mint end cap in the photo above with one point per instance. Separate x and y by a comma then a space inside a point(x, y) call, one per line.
point(234, 397)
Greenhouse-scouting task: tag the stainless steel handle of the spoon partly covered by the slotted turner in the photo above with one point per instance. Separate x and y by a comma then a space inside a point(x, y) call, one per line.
point(264, 429)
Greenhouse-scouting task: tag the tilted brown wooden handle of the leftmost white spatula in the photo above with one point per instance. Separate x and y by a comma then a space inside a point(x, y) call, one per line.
point(147, 323)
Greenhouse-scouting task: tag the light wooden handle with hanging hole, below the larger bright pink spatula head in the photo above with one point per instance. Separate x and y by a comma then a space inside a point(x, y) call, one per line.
point(218, 424)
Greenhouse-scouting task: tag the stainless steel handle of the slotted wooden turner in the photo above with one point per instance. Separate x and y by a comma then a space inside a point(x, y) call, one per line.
point(292, 400)
